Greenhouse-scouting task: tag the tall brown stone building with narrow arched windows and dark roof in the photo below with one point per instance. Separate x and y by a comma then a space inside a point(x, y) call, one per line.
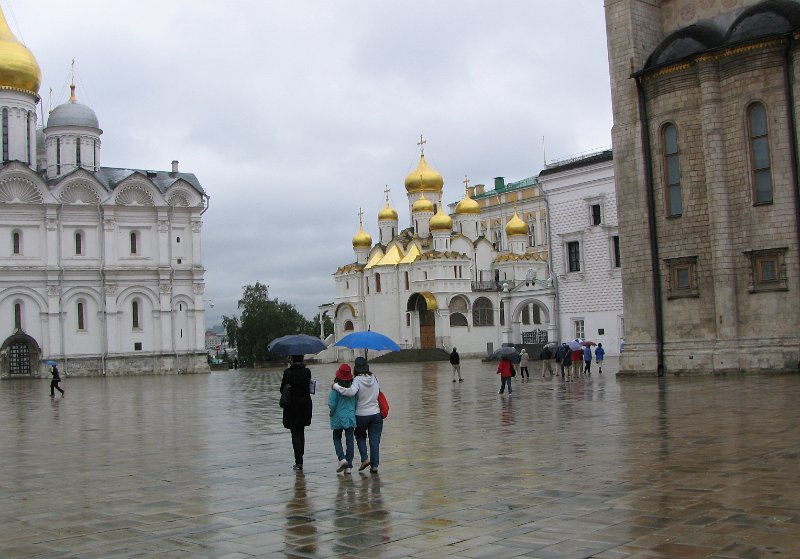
point(705, 99)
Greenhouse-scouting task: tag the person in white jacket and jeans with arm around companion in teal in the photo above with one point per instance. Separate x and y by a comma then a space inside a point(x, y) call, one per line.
point(369, 423)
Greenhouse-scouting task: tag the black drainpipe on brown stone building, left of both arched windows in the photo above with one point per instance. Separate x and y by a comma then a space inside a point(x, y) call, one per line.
point(651, 222)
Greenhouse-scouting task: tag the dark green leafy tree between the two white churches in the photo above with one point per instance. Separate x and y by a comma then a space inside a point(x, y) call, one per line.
point(264, 319)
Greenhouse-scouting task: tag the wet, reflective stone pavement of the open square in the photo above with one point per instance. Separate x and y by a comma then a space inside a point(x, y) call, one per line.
point(199, 466)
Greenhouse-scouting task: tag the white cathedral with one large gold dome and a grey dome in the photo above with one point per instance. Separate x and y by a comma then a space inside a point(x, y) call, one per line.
point(100, 267)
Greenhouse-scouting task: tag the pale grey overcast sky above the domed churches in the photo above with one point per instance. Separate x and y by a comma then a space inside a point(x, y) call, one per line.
point(294, 114)
